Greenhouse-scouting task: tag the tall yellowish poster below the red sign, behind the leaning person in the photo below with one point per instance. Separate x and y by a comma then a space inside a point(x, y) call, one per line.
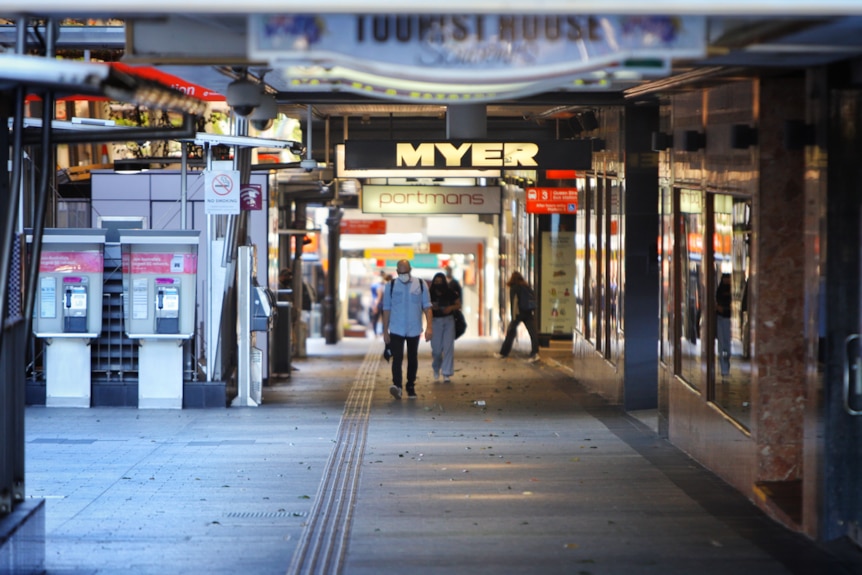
point(557, 295)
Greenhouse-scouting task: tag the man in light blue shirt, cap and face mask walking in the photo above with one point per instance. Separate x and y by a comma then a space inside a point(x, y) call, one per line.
point(405, 301)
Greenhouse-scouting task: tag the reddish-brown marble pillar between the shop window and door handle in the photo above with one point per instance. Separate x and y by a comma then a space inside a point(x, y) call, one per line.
point(778, 278)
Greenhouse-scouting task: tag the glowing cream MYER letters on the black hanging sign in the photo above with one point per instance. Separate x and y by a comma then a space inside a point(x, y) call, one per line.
point(482, 154)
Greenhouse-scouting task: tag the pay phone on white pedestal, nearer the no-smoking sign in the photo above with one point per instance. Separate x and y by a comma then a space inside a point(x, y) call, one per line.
point(159, 285)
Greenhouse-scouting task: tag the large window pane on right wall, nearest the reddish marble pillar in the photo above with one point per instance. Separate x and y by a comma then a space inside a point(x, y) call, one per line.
point(732, 329)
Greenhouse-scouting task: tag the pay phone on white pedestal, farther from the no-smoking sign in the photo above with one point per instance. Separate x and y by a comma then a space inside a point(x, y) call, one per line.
point(68, 311)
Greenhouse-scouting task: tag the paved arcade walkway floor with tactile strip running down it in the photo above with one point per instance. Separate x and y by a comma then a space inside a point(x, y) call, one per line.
point(331, 475)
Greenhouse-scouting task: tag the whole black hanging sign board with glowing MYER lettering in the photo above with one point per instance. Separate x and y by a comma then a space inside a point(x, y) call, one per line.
point(554, 154)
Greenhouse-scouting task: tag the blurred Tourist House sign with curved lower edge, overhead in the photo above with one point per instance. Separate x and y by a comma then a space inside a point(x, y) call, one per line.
point(463, 56)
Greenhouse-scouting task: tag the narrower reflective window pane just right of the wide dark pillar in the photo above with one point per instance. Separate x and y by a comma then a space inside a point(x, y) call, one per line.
point(691, 276)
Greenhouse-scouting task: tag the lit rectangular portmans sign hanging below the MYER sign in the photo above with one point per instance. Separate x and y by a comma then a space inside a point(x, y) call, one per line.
point(430, 199)
